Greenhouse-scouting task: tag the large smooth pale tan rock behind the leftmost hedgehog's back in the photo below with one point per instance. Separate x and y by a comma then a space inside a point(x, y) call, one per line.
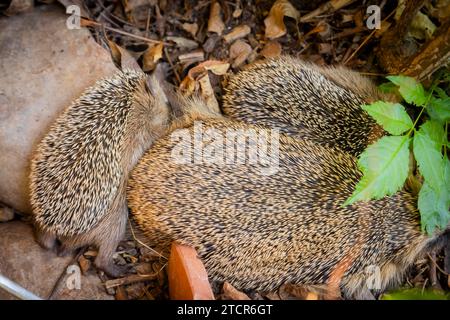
point(43, 67)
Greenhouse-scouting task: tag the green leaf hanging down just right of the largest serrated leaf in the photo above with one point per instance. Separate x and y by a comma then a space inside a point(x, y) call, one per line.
point(428, 141)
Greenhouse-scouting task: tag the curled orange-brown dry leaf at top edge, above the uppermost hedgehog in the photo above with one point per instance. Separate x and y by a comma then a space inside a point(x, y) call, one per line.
point(274, 22)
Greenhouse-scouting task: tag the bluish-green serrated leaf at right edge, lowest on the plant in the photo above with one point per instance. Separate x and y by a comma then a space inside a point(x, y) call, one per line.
point(433, 206)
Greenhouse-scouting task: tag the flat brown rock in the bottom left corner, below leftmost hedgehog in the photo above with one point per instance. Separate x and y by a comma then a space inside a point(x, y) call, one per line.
point(23, 261)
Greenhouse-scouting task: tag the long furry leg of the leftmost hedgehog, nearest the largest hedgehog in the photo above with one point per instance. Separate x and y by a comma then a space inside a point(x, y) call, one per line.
point(107, 241)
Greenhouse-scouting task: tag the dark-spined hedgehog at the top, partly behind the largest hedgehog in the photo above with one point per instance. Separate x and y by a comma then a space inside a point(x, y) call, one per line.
point(322, 104)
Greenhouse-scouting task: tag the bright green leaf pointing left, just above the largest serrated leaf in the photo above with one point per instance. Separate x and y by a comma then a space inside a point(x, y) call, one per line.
point(391, 116)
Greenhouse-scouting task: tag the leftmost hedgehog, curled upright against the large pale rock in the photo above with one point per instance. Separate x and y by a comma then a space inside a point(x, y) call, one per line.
point(80, 169)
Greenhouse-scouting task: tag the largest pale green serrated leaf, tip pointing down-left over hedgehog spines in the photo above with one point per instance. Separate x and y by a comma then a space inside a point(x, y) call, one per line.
point(385, 166)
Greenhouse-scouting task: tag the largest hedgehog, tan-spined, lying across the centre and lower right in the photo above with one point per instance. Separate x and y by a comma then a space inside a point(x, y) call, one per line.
point(260, 229)
